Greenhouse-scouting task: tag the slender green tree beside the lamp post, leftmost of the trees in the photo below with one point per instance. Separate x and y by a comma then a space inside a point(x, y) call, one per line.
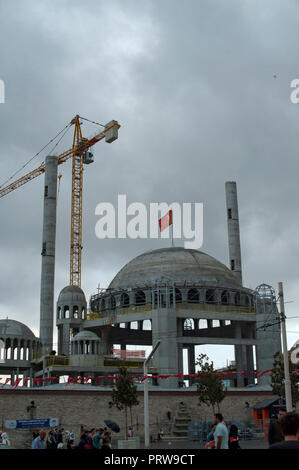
point(124, 393)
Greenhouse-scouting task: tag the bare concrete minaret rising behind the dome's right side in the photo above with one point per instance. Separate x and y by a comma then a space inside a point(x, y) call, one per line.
point(233, 228)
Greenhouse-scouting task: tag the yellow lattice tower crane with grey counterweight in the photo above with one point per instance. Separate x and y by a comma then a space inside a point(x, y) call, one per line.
point(80, 155)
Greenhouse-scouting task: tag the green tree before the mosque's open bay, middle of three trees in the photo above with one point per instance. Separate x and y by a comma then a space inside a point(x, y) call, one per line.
point(209, 383)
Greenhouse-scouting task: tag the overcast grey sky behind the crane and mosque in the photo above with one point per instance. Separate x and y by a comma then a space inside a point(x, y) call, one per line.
point(201, 90)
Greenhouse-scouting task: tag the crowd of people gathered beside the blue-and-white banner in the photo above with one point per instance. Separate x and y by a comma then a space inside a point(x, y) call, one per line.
point(59, 439)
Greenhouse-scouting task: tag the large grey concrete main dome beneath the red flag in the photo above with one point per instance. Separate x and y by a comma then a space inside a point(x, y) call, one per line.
point(178, 264)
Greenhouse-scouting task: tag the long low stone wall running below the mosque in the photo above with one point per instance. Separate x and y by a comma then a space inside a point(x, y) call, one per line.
point(91, 408)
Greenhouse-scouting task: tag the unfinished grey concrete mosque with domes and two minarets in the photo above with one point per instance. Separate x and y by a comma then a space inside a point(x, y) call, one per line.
point(180, 297)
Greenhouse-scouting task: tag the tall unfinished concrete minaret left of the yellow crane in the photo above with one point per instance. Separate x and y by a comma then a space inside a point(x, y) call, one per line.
point(48, 255)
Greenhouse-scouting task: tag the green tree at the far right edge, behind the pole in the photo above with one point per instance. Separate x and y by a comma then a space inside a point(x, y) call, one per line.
point(277, 378)
